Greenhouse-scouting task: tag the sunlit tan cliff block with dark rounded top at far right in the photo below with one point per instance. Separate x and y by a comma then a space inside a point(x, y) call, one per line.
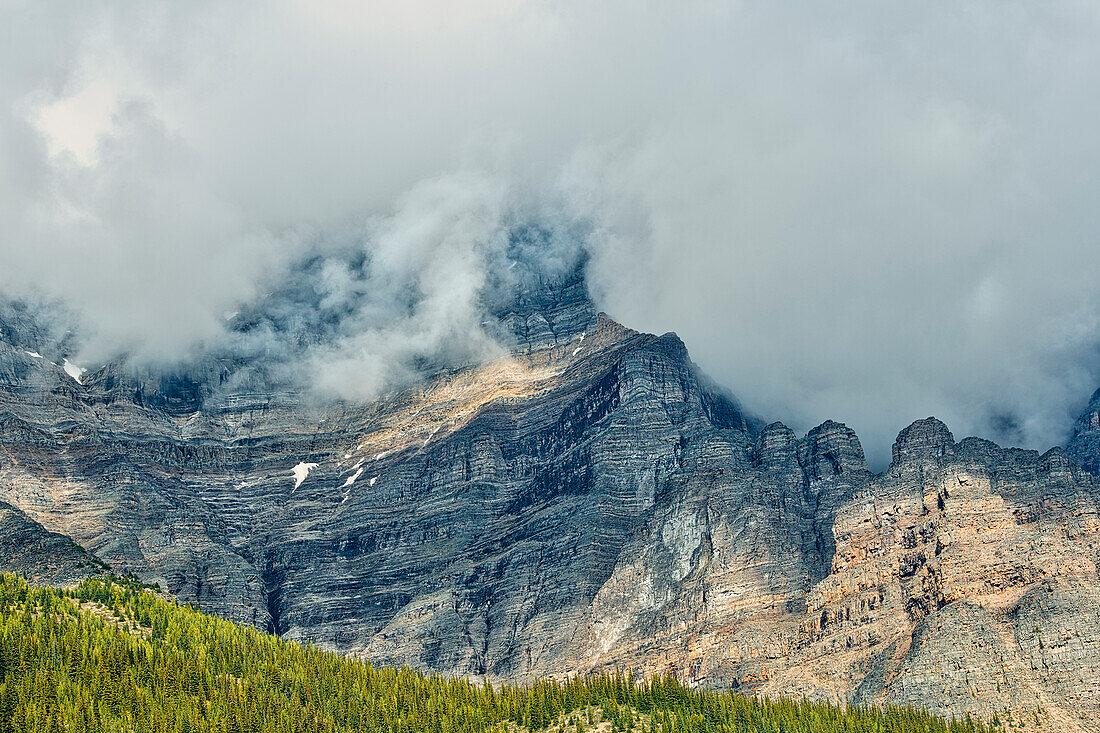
point(951, 570)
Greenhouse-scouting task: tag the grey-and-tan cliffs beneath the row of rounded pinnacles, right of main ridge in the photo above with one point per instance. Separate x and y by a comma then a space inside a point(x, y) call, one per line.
point(963, 579)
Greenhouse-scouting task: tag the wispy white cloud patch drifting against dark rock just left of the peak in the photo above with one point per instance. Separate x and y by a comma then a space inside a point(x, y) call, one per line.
point(421, 294)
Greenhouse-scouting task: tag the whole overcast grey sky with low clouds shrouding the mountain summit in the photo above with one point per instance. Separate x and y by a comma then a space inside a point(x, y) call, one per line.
point(867, 212)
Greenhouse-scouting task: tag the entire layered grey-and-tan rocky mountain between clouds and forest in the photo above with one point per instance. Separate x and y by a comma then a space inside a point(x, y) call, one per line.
point(589, 501)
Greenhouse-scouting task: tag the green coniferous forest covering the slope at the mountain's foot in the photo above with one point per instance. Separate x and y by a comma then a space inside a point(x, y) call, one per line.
point(112, 655)
